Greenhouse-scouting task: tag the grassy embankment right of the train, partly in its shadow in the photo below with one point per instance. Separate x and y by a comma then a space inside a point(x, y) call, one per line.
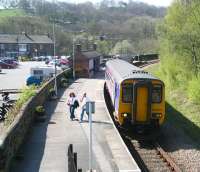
point(181, 111)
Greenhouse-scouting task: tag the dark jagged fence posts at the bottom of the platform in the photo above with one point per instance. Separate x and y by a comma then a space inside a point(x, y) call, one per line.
point(72, 160)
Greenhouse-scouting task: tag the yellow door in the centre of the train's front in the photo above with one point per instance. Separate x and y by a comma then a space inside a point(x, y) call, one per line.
point(141, 102)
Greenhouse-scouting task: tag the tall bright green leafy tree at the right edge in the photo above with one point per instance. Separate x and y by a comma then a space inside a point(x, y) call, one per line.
point(180, 43)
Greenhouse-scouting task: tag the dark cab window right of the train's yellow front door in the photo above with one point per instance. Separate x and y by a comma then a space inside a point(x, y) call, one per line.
point(157, 94)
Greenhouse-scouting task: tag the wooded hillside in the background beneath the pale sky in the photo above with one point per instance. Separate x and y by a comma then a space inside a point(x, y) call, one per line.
point(127, 28)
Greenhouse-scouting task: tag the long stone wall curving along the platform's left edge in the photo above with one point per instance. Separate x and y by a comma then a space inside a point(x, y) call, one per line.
point(13, 137)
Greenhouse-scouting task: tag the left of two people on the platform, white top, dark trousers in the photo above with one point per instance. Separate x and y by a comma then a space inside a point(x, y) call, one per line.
point(72, 103)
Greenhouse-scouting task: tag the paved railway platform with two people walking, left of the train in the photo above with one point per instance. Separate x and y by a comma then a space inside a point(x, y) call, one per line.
point(46, 147)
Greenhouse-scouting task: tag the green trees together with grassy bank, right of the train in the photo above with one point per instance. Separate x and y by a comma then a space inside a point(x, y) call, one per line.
point(179, 36)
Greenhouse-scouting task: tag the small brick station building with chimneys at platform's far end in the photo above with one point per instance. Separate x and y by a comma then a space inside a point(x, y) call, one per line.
point(87, 63)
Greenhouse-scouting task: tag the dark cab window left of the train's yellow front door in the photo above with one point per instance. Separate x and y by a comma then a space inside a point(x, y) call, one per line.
point(127, 93)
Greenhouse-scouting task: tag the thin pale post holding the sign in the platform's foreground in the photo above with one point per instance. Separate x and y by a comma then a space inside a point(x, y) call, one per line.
point(90, 141)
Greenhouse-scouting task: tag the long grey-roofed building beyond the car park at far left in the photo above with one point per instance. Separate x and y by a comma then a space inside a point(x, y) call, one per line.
point(15, 45)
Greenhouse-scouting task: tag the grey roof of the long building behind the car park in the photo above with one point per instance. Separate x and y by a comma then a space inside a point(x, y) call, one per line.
point(25, 39)
